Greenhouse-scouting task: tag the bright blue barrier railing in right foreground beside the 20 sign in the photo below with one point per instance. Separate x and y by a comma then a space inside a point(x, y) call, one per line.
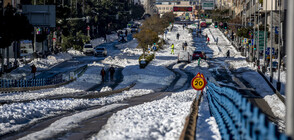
point(237, 118)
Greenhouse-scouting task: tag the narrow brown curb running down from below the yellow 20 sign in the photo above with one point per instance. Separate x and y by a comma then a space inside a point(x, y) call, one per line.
point(189, 130)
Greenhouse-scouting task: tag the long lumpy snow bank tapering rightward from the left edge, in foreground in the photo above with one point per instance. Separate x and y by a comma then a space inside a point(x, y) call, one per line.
point(18, 115)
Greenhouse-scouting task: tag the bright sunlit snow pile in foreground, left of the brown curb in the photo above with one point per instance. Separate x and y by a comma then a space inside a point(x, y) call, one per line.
point(160, 119)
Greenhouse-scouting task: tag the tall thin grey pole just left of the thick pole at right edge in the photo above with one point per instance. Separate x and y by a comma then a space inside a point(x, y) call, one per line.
point(272, 34)
